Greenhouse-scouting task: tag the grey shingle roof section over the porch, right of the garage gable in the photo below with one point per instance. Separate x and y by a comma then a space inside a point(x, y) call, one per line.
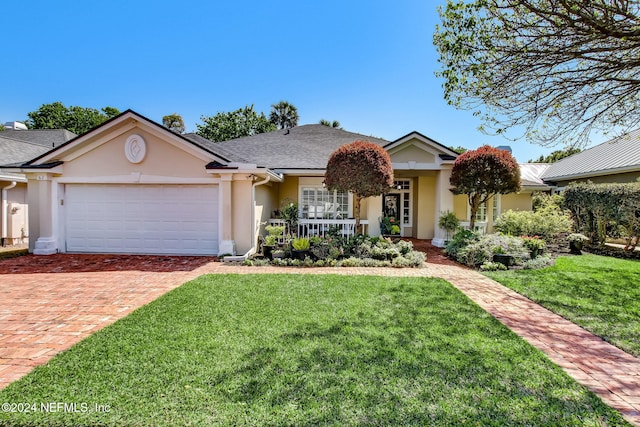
point(301, 147)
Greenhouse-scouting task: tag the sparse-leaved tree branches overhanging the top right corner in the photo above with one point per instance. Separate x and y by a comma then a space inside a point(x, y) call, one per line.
point(557, 69)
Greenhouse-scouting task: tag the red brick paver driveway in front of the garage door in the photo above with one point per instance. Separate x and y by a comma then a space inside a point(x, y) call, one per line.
point(50, 303)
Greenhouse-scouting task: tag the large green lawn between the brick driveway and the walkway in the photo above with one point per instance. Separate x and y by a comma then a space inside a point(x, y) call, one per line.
point(307, 350)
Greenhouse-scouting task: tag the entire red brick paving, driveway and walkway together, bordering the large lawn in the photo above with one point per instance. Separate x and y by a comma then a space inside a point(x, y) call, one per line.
point(67, 297)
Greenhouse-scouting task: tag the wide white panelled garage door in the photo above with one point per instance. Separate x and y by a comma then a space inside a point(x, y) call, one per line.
point(141, 219)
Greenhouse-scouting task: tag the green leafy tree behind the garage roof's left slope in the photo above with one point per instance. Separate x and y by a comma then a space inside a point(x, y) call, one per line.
point(75, 119)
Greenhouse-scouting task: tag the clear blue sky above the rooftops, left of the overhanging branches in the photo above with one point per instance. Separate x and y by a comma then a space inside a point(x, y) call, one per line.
point(369, 64)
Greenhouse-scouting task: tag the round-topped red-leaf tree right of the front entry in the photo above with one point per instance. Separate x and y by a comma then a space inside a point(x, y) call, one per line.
point(483, 173)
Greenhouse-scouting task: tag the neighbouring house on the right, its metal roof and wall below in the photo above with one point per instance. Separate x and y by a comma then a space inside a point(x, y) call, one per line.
point(617, 160)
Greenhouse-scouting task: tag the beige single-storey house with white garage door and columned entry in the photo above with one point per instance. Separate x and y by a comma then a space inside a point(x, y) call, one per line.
point(132, 186)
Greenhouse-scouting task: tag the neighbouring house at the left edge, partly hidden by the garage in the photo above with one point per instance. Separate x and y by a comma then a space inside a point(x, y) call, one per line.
point(17, 147)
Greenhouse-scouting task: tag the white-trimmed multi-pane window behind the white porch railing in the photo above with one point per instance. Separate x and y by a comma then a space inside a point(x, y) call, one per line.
point(320, 203)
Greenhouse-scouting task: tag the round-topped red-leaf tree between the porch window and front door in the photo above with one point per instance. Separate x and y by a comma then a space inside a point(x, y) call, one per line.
point(362, 168)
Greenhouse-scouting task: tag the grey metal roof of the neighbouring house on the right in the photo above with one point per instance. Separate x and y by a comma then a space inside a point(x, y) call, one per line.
point(618, 154)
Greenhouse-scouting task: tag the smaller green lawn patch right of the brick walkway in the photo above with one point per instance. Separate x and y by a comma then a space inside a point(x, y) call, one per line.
point(601, 294)
